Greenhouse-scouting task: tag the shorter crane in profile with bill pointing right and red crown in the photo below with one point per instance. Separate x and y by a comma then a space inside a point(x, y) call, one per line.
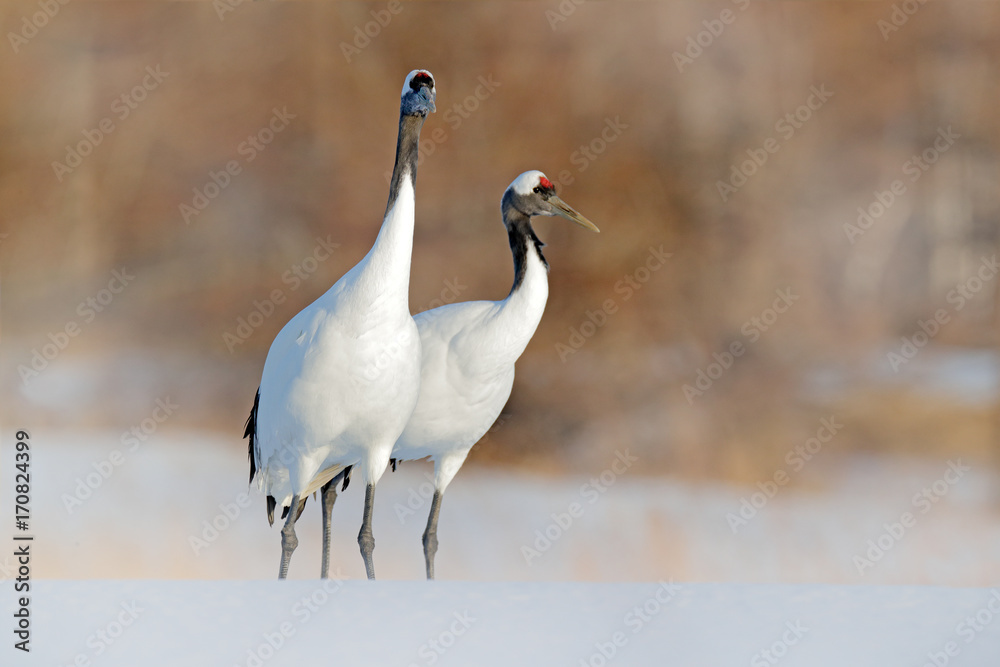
point(469, 349)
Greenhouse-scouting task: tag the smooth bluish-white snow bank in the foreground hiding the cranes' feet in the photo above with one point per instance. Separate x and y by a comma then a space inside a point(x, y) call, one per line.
point(250, 624)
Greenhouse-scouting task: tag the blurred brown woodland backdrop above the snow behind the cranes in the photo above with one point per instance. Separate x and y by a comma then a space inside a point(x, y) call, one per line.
point(560, 84)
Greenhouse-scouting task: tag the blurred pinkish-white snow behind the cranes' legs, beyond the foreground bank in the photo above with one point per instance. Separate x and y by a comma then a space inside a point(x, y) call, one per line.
point(178, 506)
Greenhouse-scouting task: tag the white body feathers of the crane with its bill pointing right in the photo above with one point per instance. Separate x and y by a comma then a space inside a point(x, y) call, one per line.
point(468, 352)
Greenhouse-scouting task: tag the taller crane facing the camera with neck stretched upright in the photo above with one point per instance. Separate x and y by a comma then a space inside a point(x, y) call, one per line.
point(342, 377)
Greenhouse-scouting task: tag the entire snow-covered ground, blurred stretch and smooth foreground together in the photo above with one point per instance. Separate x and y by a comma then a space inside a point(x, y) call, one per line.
point(158, 554)
